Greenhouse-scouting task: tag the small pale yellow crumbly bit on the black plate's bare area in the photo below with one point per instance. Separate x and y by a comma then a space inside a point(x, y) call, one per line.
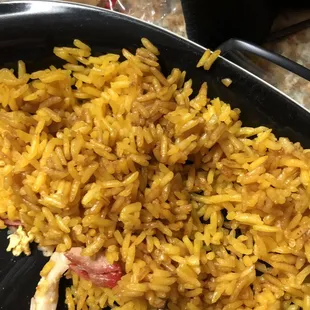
point(19, 242)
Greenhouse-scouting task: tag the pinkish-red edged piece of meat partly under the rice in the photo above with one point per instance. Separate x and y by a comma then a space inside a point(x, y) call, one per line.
point(97, 270)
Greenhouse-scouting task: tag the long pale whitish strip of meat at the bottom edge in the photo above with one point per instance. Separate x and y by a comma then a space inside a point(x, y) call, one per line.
point(46, 295)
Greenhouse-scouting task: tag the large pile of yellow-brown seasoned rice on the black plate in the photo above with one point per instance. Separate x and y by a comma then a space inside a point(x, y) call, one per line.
point(110, 155)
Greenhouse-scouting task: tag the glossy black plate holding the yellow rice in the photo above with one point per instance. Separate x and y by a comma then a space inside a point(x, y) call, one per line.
point(29, 31)
